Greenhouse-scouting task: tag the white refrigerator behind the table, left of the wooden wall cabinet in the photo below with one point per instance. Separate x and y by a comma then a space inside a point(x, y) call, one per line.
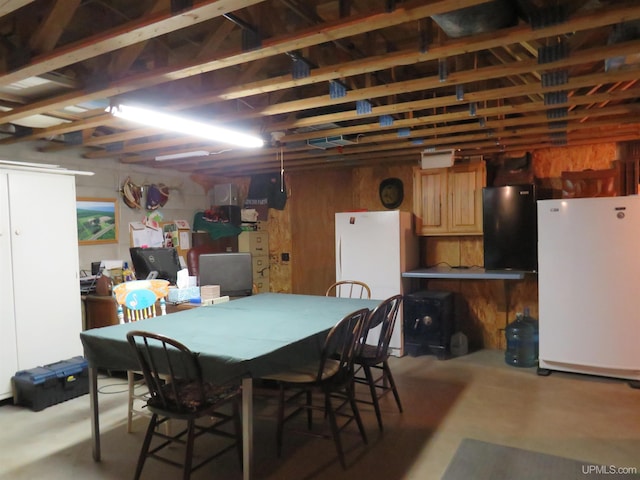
point(376, 248)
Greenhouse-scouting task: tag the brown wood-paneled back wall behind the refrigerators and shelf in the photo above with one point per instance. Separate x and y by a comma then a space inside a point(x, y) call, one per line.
point(305, 229)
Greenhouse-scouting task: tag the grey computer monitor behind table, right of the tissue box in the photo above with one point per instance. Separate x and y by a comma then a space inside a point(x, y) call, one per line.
point(232, 271)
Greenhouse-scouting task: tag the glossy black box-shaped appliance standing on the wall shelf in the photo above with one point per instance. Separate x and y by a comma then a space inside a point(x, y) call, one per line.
point(509, 218)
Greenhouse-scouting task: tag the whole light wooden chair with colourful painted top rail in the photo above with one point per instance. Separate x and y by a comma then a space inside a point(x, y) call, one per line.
point(138, 300)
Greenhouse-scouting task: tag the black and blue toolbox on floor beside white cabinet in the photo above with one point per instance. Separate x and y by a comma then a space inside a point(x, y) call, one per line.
point(41, 387)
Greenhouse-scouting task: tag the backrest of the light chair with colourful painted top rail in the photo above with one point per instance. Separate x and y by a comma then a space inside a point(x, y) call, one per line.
point(137, 299)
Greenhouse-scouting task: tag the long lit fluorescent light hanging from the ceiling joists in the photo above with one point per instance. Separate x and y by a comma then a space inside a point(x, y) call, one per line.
point(184, 125)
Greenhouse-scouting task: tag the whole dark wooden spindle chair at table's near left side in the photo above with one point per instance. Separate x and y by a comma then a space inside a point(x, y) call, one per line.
point(179, 392)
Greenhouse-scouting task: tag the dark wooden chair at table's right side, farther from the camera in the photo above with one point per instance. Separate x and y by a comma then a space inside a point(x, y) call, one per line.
point(371, 362)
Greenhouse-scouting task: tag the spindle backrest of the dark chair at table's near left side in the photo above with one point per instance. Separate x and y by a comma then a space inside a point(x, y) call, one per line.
point(171, 371)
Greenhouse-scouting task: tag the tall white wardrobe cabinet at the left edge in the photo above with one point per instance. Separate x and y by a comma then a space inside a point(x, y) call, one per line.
point(40, 310)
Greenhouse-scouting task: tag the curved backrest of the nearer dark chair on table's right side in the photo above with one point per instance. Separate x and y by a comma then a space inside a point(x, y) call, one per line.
point(341, 344)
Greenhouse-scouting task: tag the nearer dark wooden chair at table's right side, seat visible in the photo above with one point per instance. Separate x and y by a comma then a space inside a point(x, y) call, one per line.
point(331, 376)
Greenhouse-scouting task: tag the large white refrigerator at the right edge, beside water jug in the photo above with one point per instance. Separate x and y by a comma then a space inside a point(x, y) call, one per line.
point(588, 278)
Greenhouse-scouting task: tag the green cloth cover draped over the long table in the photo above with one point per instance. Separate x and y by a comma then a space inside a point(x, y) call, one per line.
point(252, 336)
